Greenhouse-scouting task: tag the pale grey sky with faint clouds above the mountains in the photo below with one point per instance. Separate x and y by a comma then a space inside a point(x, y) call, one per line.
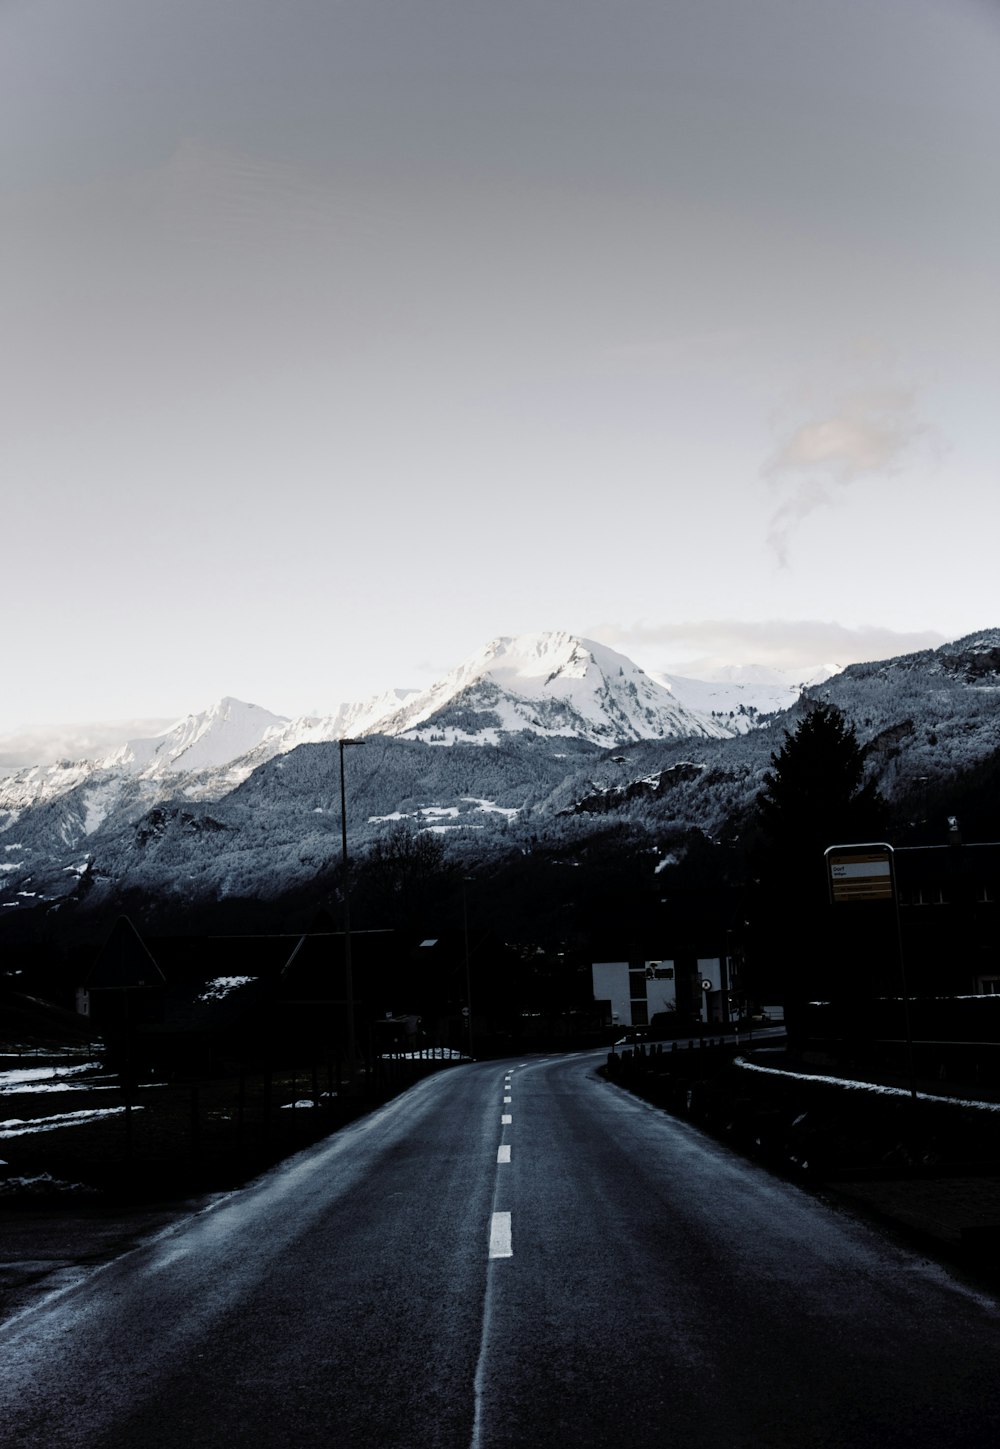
point(344, 335)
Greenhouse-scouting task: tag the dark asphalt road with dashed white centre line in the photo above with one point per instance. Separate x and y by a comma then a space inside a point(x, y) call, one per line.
point(621, 1280)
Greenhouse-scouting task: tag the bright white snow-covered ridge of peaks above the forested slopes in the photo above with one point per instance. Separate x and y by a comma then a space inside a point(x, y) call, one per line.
point(553, 685)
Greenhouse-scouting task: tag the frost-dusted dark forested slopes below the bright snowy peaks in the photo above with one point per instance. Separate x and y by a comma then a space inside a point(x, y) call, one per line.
point(930, 725)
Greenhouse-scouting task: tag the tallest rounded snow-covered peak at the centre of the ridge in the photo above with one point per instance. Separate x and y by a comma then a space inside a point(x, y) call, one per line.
point(554, 685)
